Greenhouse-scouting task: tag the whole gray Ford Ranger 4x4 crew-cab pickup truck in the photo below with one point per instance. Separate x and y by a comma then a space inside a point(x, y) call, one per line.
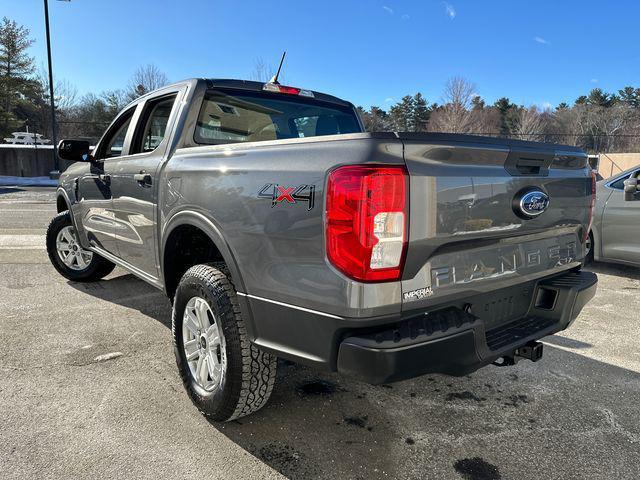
point(278, 228)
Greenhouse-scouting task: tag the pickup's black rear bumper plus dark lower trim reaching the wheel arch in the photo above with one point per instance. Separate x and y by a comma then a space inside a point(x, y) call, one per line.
point(442, 339)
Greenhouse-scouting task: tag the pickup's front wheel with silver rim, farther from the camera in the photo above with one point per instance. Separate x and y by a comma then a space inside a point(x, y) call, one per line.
point(68, 257)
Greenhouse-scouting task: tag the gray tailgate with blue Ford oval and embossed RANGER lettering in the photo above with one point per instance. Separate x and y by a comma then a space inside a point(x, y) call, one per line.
point(469, 232)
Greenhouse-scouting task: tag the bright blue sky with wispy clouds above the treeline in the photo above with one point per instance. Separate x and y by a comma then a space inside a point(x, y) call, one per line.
point(370, 52)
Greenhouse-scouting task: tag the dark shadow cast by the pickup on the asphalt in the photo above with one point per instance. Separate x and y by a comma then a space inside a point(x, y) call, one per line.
point(566, 416)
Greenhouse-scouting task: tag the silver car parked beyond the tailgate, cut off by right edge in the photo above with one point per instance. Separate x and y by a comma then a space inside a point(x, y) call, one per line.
point(615, 233)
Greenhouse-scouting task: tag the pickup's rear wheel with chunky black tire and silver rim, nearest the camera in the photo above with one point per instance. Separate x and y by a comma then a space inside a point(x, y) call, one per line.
point(226, 376)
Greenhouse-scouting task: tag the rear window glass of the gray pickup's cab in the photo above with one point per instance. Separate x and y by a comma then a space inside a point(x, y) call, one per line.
point(241, 116)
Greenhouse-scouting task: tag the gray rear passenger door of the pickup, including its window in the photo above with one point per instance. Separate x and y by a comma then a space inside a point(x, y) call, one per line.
point(134, 183)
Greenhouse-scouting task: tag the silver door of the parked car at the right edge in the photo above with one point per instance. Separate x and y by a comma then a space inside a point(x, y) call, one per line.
point(621, 225)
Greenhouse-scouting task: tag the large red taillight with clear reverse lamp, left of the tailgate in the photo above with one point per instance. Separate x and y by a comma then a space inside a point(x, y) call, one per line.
point(367, 221)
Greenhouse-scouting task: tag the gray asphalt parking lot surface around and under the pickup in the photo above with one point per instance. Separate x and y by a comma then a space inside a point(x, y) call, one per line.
point(89, 389)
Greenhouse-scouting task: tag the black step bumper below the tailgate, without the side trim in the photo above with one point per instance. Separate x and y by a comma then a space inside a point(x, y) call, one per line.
point(454, 342)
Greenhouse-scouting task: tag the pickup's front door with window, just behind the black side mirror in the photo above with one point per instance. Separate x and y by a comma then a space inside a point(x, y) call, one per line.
point(94, 210)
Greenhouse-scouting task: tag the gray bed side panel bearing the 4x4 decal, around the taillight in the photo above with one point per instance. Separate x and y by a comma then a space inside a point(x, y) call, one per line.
point(279, 248)
